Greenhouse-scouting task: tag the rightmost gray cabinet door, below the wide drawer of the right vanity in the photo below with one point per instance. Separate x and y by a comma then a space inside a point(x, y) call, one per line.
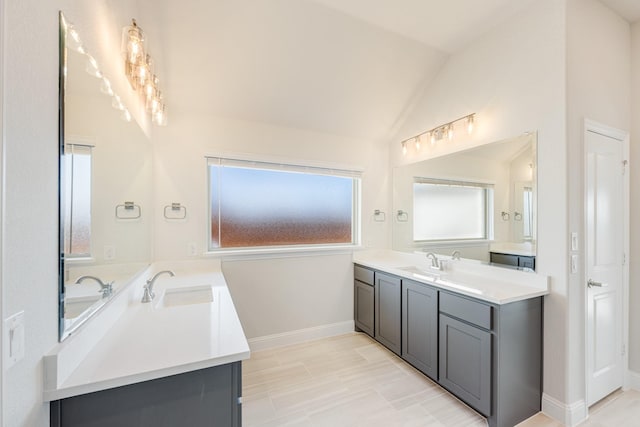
point(465, 362)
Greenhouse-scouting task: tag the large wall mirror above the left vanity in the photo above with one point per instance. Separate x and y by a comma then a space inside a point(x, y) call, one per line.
point(105, 191)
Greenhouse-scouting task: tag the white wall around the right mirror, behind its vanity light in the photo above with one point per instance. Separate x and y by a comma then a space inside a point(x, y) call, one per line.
point(514, 79)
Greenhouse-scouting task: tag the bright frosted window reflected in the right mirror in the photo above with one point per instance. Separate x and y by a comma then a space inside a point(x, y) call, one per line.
point(450, 210)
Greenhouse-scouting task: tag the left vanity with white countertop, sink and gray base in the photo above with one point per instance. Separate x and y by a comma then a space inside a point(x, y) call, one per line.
point(173, 361)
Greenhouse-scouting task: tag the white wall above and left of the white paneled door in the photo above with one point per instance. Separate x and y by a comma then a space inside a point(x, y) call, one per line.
point(598, 88)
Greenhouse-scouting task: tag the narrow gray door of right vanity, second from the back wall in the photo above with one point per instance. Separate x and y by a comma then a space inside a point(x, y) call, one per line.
point(387, 311)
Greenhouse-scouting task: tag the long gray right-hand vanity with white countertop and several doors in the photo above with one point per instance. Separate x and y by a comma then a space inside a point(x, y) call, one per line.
point(474, 329)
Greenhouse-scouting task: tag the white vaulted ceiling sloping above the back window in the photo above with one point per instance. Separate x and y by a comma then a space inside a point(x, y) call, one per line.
point(348, 67)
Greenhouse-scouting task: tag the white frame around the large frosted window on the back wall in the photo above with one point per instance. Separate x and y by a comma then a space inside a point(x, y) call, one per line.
point(299, 167)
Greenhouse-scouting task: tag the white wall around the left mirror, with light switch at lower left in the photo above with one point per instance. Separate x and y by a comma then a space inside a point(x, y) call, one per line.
point(30, 225)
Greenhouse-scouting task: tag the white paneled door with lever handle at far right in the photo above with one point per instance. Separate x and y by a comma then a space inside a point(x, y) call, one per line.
point(605, 222)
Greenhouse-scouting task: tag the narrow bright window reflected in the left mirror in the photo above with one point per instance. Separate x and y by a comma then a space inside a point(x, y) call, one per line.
point(76, 199)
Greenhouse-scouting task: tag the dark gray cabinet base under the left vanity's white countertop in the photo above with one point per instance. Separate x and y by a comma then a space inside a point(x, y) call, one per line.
point(207, 397)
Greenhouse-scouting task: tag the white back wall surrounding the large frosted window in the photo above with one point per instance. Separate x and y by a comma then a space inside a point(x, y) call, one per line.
point(181, 176)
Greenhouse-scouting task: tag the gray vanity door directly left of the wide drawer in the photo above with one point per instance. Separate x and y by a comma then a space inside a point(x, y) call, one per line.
point(420, 327)
